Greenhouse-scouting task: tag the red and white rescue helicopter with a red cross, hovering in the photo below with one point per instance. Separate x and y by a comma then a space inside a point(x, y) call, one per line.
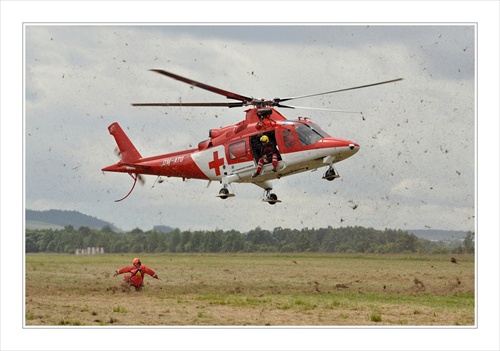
point(232, 154)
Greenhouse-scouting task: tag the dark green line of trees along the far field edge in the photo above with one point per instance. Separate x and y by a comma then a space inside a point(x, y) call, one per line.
point(339, 240)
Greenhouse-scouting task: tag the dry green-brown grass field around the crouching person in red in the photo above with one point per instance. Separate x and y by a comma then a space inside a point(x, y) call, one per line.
point(252, 290)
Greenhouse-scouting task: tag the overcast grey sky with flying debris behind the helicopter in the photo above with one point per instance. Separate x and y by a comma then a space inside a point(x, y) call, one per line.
point(415, 168)
